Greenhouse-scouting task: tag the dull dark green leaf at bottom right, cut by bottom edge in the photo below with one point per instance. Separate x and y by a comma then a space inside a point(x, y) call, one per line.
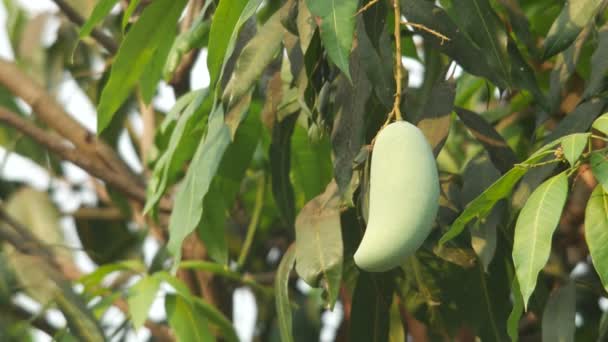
point(558, 317)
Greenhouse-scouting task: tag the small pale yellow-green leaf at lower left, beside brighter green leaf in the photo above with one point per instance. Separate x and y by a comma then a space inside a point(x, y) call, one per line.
point(141, 296)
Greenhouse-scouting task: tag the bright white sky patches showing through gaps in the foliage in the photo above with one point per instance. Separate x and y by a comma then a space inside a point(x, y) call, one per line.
point(77, 104)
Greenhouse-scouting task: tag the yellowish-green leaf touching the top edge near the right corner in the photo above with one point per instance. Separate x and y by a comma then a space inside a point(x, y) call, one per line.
point(574, 16)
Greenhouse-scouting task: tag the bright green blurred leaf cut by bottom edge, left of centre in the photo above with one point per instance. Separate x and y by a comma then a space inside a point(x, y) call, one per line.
point(188, 323)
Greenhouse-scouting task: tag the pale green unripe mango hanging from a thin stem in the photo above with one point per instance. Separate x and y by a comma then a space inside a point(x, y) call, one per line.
point(403, 198)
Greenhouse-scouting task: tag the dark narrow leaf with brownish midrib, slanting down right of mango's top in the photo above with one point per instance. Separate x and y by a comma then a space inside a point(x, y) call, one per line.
point(500, 153)
